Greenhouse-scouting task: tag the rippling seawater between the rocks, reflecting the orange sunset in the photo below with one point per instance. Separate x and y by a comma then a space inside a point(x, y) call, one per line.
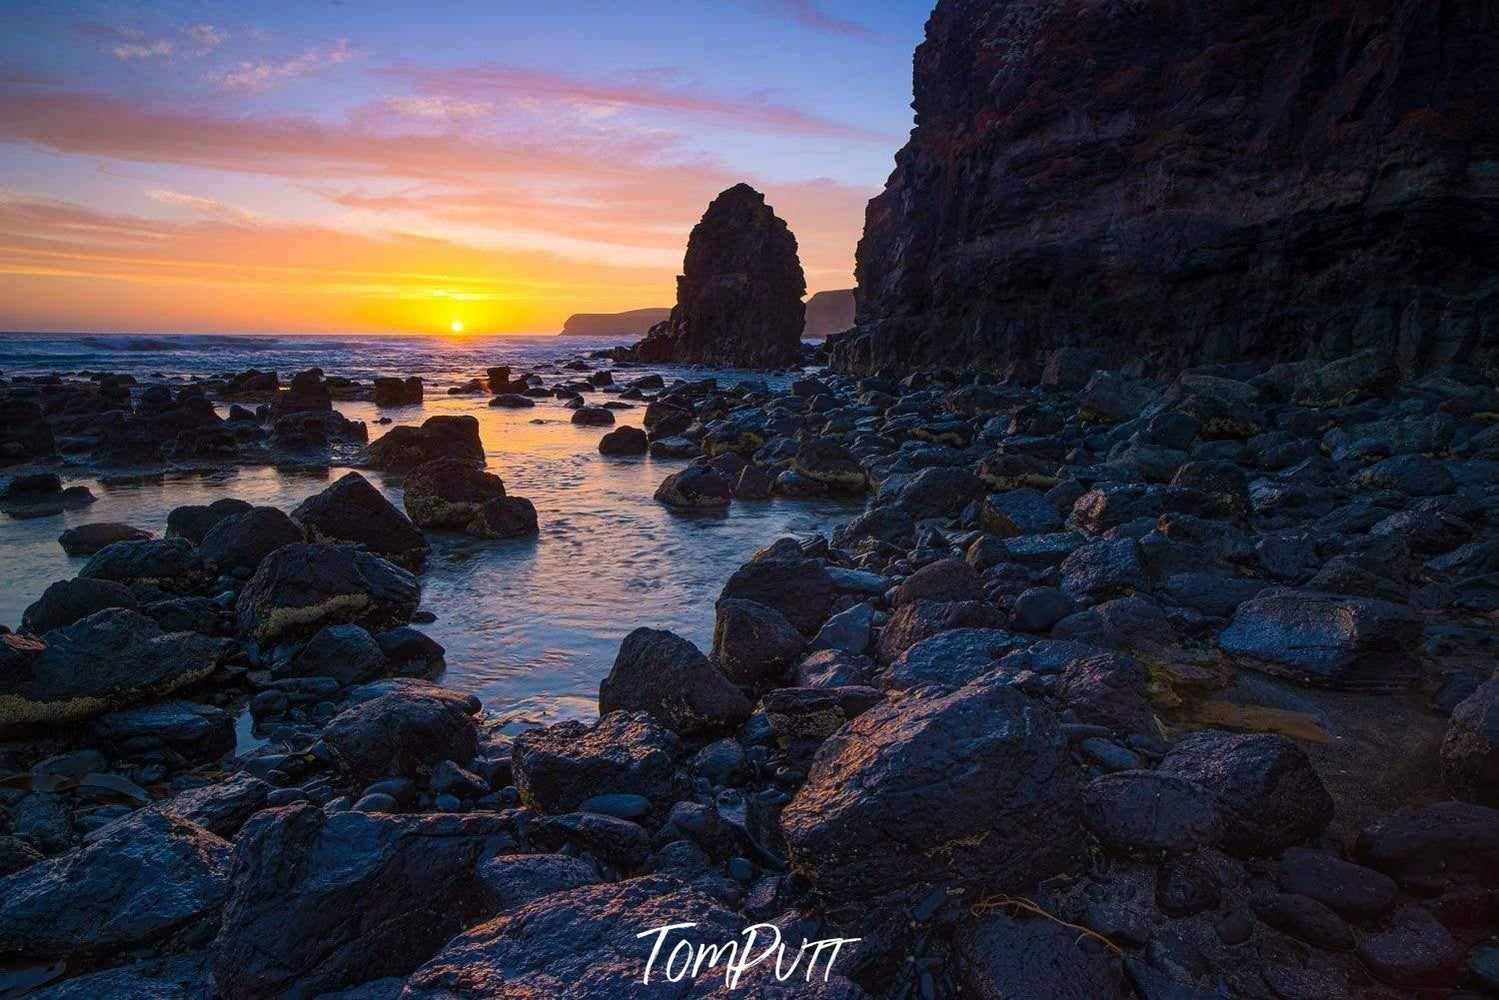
point(530, 626)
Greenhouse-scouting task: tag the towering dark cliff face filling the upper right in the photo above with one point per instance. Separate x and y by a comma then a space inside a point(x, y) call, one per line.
point(1189, 182)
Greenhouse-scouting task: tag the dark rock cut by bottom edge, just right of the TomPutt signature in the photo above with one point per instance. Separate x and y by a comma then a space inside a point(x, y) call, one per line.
point(1004, 959)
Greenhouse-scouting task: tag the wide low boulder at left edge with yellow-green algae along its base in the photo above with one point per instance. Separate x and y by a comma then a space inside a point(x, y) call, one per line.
point(103, 662)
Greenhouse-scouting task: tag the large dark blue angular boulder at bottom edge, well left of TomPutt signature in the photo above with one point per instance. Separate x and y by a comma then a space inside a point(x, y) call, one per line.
point(323, 903)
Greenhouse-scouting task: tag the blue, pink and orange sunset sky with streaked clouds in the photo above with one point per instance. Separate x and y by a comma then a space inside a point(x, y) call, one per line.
point(334, 166)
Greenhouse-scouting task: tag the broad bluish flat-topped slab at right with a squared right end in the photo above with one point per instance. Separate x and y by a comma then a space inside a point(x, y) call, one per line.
point(1327, 641)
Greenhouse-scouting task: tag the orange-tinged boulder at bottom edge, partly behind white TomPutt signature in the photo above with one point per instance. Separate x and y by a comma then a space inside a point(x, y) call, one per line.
point(582, 944)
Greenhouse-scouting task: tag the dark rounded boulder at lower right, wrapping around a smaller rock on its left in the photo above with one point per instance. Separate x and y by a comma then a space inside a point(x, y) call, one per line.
point(1270, 795)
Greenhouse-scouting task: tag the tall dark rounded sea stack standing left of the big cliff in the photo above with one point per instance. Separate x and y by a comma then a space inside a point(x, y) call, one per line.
point(740, 296)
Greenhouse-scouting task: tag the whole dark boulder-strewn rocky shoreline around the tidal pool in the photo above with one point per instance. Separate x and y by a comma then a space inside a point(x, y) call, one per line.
point(1119, 687)
